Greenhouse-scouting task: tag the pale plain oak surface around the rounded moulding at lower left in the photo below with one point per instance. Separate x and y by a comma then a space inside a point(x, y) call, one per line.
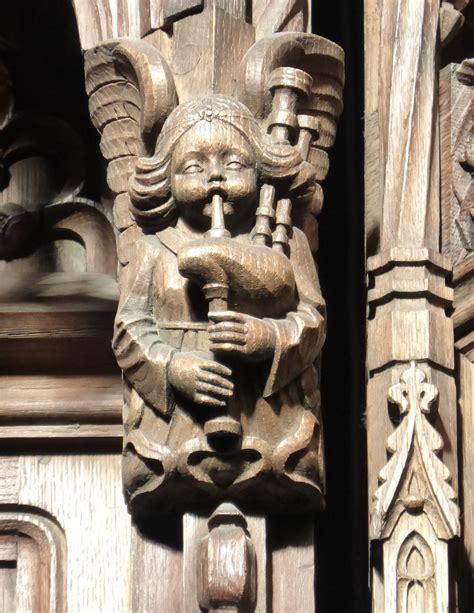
point(83, 494)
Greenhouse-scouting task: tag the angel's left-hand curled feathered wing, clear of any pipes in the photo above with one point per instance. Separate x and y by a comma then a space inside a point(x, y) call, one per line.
point(131, 93)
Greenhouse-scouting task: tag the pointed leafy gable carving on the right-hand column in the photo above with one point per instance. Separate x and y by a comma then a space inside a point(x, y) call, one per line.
point(414, 465)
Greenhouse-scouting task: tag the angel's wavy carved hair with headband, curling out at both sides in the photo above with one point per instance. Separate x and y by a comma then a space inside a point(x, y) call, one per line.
point(152, 203)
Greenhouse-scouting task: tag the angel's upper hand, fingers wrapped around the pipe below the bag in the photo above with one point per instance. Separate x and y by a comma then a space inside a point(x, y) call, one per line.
point(233, 333)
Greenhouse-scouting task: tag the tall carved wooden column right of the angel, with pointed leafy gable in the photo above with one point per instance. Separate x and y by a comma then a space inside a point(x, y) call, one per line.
point(410, 304)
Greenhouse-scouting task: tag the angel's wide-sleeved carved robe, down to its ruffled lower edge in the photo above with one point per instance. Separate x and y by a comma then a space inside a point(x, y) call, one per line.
point(168, 463)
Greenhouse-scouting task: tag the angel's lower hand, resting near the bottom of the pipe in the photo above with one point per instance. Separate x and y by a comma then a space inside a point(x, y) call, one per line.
point(200, 378)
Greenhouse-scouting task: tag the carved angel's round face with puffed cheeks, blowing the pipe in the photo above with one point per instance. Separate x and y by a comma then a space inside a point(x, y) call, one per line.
point(213, 158)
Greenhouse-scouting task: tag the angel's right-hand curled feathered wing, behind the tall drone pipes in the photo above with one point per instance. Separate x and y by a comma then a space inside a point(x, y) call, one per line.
point(323, 60)
